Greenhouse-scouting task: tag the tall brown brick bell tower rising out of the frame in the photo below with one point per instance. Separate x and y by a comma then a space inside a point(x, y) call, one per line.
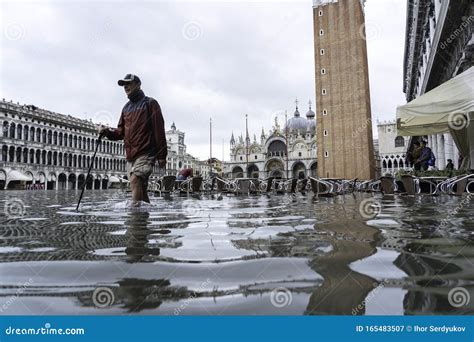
point(343, 116)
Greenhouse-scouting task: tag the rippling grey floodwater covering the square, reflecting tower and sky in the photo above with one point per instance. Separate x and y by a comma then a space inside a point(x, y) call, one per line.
point(247, 255)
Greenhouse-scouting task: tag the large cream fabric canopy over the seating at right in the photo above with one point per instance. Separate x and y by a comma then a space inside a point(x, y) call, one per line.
point(440, 109)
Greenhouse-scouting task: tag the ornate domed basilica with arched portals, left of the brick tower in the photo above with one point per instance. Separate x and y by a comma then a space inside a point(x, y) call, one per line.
point(281, 152)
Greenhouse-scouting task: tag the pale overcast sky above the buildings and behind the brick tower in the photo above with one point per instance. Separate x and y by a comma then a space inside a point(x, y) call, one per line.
point(198, 59)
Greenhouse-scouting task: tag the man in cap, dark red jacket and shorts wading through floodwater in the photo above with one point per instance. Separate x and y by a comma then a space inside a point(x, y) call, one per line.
point(142, 128)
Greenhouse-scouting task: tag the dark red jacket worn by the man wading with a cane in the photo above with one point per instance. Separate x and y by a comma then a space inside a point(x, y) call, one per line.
point(142, 128)
